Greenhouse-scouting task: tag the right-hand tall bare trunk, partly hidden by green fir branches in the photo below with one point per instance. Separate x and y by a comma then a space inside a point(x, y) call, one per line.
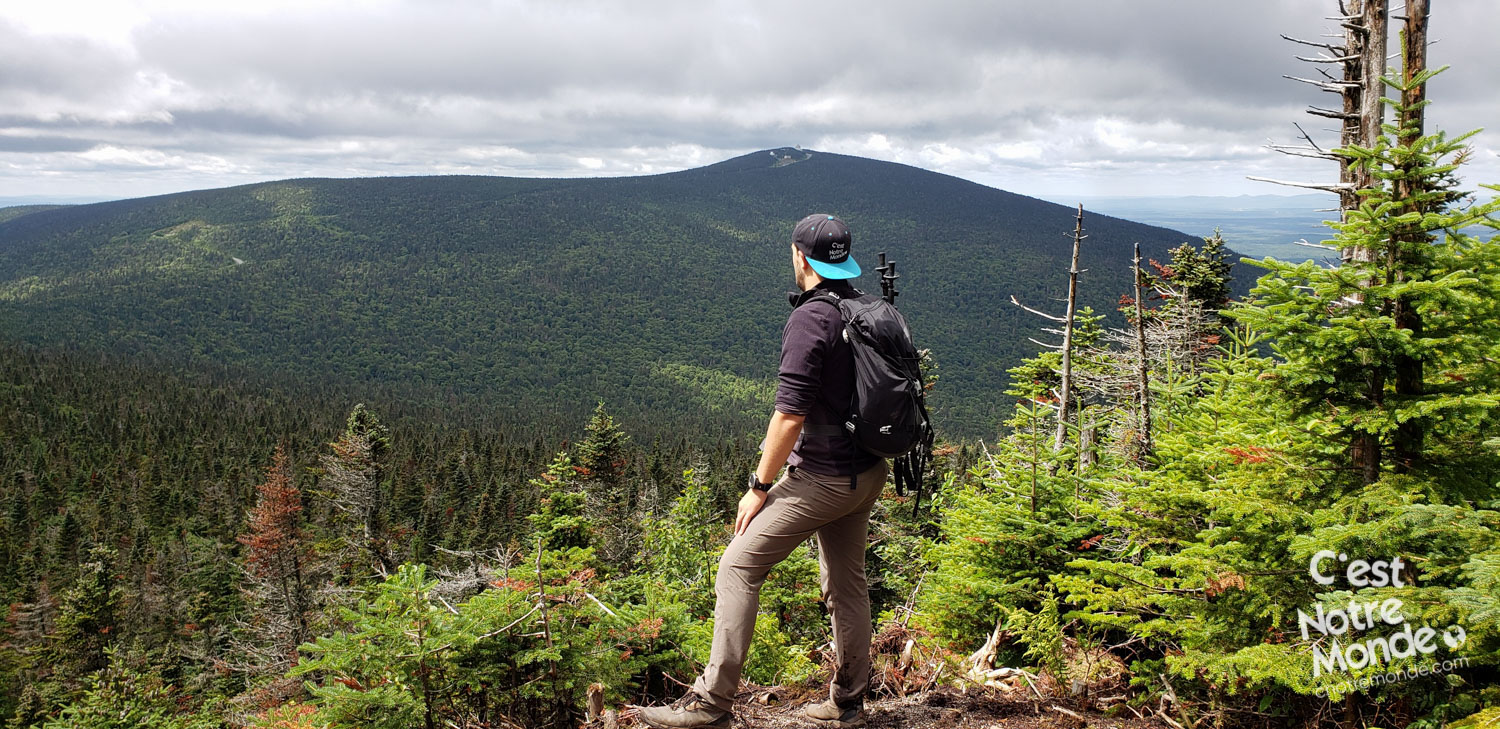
point(1403, 253)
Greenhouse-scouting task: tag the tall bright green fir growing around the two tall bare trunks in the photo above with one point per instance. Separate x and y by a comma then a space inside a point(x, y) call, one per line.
point(1381, 353)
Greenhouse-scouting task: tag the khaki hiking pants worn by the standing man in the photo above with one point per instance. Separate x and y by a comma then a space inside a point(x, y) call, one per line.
point(799, 506)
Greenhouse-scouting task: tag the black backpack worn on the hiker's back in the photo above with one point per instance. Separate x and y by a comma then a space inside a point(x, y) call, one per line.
point(889, 412)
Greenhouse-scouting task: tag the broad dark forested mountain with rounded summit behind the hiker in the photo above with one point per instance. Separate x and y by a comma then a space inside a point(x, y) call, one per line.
point(538, 298)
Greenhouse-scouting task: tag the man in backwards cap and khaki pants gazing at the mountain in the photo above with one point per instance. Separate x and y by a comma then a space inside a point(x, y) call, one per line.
point(829, 491)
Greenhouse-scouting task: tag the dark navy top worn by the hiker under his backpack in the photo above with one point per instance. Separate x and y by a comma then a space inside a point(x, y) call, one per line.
point(818, 371)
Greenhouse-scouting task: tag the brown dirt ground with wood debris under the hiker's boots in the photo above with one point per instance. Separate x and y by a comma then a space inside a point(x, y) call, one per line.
point(938, 709)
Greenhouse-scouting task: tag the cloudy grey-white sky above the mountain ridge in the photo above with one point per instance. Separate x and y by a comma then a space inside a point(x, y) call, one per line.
point(1057, 98)
